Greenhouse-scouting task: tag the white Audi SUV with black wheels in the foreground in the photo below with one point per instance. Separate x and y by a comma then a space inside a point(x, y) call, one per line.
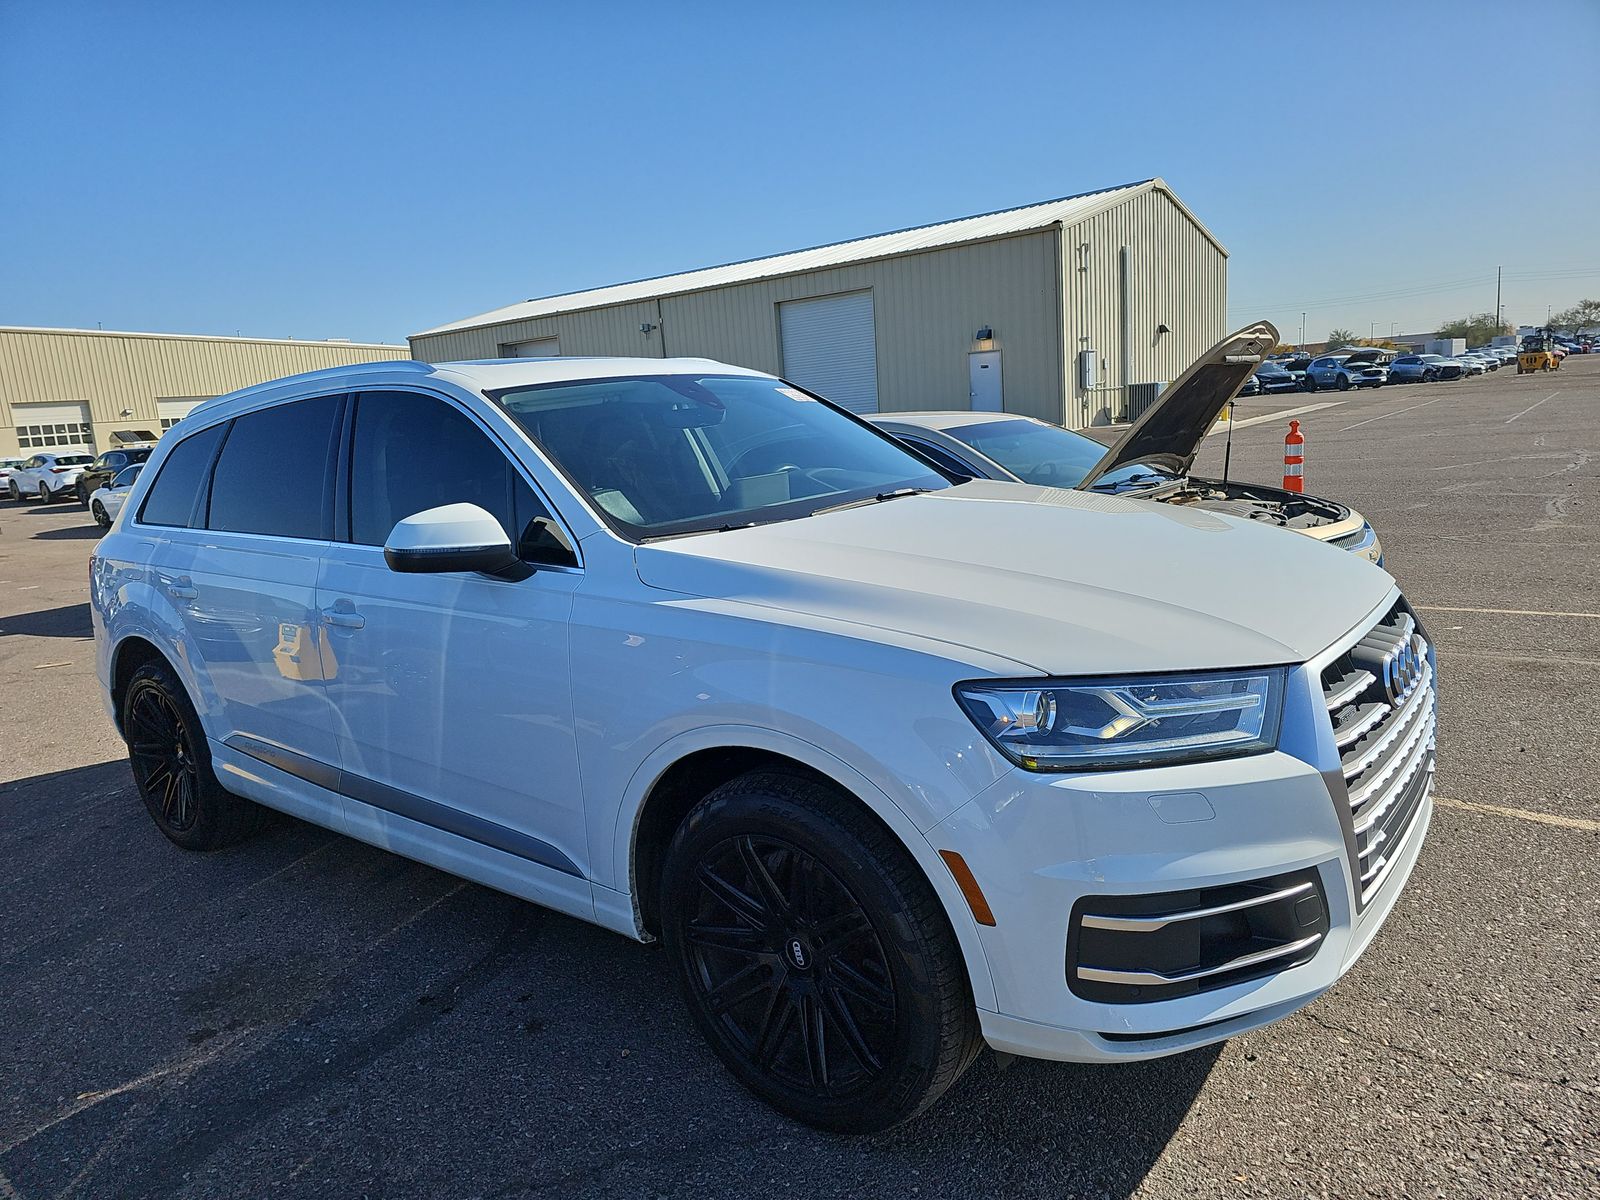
point(894, 766)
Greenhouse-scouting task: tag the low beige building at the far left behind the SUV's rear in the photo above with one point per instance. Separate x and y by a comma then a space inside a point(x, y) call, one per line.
point(78, 390)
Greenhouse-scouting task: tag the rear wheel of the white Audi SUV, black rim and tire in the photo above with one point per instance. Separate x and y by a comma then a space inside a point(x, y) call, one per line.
point(172, 766)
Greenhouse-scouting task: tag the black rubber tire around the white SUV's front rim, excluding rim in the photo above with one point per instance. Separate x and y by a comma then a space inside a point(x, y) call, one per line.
point(759, 806)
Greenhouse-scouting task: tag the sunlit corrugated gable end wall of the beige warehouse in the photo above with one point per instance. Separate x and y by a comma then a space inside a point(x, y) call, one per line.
point(1172, 274)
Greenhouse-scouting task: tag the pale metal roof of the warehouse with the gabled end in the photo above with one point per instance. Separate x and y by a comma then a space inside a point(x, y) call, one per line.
point(986, 226)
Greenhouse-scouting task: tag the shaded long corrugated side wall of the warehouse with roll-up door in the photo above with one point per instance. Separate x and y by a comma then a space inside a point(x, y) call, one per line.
point(927, 310)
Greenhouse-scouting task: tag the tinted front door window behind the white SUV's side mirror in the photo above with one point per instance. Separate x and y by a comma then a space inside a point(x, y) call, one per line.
point(415, 452)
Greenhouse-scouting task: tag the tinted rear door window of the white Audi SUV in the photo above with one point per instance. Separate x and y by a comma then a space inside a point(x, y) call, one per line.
point(274, 471)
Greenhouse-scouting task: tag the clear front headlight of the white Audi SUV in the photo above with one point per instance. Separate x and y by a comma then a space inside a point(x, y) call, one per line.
point(1135, 721)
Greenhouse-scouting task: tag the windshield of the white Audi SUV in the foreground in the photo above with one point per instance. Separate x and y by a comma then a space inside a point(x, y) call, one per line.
point(678, 454)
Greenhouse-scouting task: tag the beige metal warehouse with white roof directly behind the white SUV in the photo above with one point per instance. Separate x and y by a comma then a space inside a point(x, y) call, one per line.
point(1074, 311)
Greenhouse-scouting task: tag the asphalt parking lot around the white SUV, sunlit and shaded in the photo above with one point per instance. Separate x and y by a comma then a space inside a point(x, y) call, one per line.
point(308, 1017)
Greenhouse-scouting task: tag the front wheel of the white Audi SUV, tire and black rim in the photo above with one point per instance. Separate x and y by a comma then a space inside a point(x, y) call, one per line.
point(814, 956)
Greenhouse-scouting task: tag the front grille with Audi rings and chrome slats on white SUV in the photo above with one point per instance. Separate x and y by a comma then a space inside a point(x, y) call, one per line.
point(1383, 706)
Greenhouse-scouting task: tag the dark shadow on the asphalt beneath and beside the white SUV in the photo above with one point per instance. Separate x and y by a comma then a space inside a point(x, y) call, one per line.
point(318, 1017)
